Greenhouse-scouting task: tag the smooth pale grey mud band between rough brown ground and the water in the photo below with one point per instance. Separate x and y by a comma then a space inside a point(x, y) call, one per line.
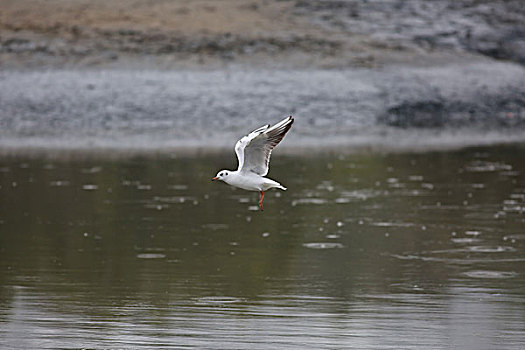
point(448, 106)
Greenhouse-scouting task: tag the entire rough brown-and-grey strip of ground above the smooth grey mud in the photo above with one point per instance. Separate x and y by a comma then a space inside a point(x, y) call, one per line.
point(290, 34)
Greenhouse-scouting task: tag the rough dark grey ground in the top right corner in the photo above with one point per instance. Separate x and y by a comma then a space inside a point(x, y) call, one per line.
point(492, 28)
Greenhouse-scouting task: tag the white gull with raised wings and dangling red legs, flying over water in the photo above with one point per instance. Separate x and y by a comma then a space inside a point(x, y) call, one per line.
point(253, 153)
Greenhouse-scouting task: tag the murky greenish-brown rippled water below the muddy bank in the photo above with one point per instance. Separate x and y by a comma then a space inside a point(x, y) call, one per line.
point(373, 251)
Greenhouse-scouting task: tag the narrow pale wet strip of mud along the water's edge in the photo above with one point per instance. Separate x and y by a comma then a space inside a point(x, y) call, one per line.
point(422, 143)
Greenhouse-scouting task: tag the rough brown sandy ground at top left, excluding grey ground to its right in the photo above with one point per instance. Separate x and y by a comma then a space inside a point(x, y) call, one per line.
point(165, 34)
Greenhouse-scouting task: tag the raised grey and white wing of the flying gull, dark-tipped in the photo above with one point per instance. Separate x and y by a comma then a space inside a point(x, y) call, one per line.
point(254, 150)
